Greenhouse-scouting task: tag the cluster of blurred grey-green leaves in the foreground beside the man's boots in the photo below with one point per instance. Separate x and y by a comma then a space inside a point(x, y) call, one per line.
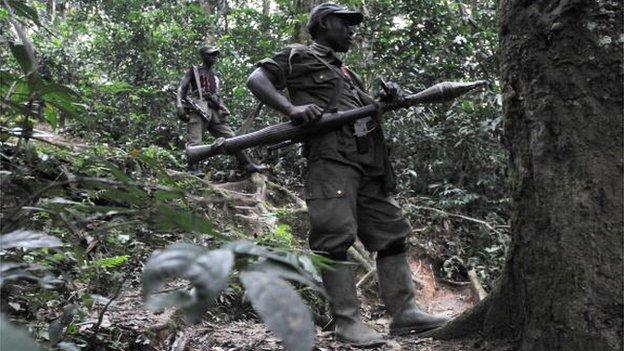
point(262, 273)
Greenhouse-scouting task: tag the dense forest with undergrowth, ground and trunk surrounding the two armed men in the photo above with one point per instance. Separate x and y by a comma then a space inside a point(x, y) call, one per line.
point(514, 196)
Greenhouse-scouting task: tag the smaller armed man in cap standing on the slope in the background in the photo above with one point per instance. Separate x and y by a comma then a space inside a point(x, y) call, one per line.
point(207, 99)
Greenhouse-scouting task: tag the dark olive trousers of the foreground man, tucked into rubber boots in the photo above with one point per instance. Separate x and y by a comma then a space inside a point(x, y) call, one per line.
point(343, 205)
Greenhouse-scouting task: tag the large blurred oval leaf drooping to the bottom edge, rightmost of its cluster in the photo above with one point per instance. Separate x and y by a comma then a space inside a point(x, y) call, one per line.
point(281, 309)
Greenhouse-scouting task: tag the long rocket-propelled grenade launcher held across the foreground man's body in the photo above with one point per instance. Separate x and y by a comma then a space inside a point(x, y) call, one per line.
point(287, 132)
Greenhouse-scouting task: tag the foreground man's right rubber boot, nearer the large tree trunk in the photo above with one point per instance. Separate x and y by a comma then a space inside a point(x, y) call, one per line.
point(397, 292)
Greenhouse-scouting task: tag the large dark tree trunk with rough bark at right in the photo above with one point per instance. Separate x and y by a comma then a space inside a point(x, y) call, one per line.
point(562, 288)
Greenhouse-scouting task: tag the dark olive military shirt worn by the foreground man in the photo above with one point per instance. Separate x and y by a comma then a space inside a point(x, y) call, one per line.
point(311, 74)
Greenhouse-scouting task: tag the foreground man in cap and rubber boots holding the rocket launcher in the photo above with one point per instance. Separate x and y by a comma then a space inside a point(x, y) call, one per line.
point(349, 178)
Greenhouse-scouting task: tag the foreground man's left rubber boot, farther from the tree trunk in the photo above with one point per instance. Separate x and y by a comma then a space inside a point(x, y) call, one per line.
point(340, 286)
